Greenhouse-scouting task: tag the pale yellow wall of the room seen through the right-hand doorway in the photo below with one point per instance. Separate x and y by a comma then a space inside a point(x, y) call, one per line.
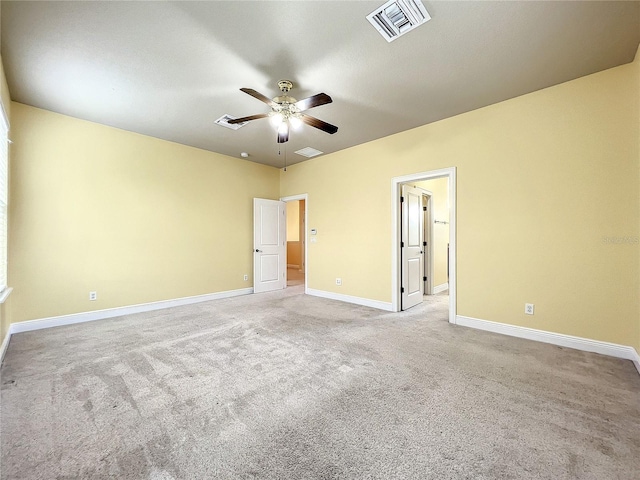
point(440, 212)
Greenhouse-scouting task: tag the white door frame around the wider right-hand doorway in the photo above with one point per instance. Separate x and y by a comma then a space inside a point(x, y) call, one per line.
point(396, 183)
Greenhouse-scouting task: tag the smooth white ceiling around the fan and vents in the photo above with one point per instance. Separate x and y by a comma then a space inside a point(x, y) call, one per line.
point(170, 69)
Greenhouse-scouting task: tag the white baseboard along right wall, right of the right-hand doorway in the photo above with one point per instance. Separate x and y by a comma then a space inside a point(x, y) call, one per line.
point(569, 341)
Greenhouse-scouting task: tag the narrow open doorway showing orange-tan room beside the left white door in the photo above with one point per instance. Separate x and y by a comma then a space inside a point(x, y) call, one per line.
point(296, 210)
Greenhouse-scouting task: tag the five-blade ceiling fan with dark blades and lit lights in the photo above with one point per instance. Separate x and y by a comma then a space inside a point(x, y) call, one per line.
point(286, 111)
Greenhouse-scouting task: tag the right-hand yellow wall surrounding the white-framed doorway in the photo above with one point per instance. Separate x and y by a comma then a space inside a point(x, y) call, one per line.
point(543, 180)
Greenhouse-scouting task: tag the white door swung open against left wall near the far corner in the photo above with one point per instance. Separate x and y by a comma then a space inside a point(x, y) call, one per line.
point(269, 245)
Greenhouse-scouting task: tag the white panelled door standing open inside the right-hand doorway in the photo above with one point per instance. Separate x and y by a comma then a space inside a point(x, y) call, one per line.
point(412, 287)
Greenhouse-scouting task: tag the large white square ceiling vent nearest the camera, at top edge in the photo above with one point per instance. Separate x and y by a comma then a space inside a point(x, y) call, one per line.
point(397, 17)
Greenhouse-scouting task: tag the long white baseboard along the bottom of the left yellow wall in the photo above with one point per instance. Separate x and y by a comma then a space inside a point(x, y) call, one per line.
point(38, 324)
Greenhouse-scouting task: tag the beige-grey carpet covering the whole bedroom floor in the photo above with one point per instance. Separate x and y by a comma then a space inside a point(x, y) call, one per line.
point(287, 386)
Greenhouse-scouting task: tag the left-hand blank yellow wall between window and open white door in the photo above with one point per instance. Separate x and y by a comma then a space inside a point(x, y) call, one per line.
point(135, 218)
